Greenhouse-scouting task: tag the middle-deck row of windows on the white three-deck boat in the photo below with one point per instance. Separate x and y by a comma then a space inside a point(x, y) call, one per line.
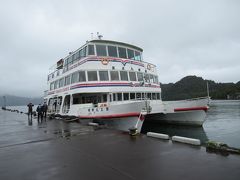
point(104, 75)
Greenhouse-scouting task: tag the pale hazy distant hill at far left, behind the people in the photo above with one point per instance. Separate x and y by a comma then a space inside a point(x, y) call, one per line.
point(18, 101)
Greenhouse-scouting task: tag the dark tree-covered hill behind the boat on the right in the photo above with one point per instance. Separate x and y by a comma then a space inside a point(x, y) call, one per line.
point(193, 86)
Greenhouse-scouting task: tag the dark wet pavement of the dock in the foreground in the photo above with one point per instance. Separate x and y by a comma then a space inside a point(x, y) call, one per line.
point(58, 150)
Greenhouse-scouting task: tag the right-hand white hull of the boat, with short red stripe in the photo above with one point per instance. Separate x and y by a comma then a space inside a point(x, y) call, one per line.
point(184, 112)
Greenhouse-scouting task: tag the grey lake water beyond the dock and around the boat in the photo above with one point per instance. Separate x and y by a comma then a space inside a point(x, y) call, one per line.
point(222, 124)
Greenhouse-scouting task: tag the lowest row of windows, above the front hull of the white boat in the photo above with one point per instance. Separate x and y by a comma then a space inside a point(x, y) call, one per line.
point(119, 96)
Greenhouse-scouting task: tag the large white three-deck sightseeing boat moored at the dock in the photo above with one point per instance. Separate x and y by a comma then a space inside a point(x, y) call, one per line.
point(108, 81)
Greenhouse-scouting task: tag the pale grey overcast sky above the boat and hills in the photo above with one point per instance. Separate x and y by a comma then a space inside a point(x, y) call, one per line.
point(182, 37)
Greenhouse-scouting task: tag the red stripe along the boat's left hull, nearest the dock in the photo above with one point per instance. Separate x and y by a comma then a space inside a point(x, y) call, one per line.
point(132, 114)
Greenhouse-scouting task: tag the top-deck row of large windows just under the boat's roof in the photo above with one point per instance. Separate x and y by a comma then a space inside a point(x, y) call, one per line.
point(104, 50)
